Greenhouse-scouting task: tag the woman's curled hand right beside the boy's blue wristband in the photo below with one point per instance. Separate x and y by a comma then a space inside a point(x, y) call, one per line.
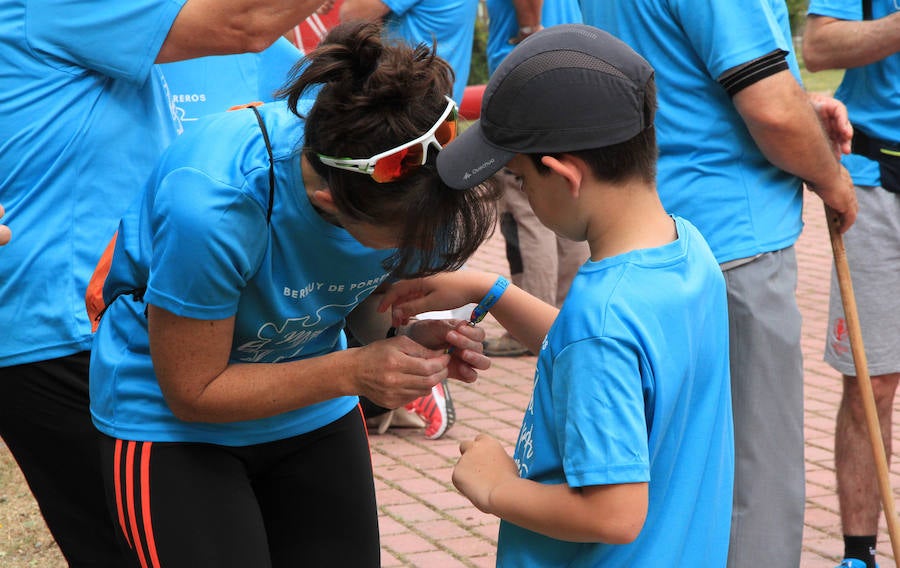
point(463, 342)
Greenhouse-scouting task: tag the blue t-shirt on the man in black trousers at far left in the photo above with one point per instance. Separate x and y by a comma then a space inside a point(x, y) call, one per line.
point(83, 119)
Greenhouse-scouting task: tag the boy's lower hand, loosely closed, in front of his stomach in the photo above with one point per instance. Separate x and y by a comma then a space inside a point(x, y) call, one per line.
point(483, 466)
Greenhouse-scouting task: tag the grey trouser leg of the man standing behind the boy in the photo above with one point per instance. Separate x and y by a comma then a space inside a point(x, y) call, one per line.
point(767, 394)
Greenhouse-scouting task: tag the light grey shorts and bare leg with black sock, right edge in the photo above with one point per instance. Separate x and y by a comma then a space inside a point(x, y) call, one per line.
point(873, 256)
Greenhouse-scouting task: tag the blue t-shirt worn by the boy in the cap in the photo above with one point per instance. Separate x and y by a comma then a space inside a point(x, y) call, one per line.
point(632, 385)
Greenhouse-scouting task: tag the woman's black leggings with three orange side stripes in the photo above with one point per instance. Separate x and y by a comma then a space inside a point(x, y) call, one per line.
point(303, 501)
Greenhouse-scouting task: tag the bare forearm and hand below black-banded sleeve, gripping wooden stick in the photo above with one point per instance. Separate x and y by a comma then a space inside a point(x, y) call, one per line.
point(785, 126)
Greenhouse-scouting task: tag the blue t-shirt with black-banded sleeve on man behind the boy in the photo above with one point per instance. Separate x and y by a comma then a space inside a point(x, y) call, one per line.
point(710, 169)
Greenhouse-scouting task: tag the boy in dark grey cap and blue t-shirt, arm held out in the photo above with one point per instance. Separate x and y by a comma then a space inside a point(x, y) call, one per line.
point(625, 455)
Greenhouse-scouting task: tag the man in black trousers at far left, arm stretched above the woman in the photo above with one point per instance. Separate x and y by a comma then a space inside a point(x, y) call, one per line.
point(83, 119)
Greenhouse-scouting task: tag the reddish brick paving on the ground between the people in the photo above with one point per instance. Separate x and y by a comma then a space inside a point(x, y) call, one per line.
point(425, 522)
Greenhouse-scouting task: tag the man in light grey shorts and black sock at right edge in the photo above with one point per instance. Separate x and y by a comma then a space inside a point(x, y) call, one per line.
point(837, 37)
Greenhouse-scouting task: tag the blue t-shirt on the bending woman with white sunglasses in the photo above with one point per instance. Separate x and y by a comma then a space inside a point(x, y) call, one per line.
point(198, 239)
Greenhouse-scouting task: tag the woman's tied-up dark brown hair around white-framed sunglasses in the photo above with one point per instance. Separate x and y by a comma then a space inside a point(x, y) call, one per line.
point(374, 95)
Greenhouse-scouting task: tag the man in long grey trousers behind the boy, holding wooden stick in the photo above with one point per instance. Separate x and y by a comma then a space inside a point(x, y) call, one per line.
point(737, 137)
